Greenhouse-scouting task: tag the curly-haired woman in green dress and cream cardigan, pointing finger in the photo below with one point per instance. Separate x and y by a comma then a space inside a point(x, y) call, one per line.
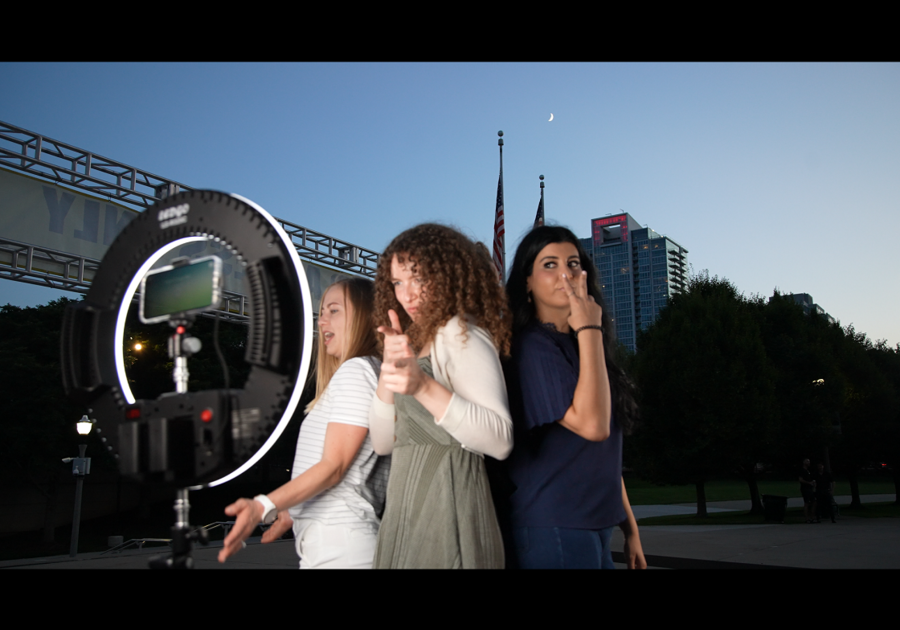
point(440, 404)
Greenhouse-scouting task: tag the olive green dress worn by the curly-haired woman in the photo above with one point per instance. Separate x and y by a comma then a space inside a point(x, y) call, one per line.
point(439, 513)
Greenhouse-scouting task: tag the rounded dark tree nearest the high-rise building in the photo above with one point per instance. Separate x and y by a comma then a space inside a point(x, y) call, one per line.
point(705, 389)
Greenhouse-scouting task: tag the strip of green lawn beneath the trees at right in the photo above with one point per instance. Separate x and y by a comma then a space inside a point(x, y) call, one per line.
point(642, 492)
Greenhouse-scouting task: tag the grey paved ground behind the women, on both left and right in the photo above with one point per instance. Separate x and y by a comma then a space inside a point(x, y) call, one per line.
point(851, 543)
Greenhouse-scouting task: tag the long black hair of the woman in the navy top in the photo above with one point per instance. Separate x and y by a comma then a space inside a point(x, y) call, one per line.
point(523, 311)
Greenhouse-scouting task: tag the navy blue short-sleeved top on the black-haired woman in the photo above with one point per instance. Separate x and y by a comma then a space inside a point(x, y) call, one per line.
point(561, 479)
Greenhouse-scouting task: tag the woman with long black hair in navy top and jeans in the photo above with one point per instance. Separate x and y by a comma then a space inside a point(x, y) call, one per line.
point(570, 404)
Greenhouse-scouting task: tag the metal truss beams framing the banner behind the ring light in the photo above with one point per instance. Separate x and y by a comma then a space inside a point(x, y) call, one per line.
point(64, 164)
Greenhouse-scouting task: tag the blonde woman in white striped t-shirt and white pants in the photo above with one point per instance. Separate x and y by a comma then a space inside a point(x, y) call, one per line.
point(336, 496)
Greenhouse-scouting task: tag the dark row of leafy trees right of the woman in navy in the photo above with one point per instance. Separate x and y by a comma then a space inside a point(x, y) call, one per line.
point(726, 383)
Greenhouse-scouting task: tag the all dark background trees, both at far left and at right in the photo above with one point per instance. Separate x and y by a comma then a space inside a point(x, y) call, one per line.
point(724, 383)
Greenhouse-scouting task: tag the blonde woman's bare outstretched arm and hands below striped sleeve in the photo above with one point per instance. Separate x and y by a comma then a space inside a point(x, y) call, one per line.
point(342, 443)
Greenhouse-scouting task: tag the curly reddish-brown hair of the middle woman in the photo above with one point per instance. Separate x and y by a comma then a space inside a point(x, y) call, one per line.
point(458, 279)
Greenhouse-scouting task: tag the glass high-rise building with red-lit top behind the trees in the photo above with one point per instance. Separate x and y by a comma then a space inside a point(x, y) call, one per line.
point(639, 270)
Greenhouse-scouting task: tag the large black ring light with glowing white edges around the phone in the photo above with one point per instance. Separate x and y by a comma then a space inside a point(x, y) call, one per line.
point(206, 437)
